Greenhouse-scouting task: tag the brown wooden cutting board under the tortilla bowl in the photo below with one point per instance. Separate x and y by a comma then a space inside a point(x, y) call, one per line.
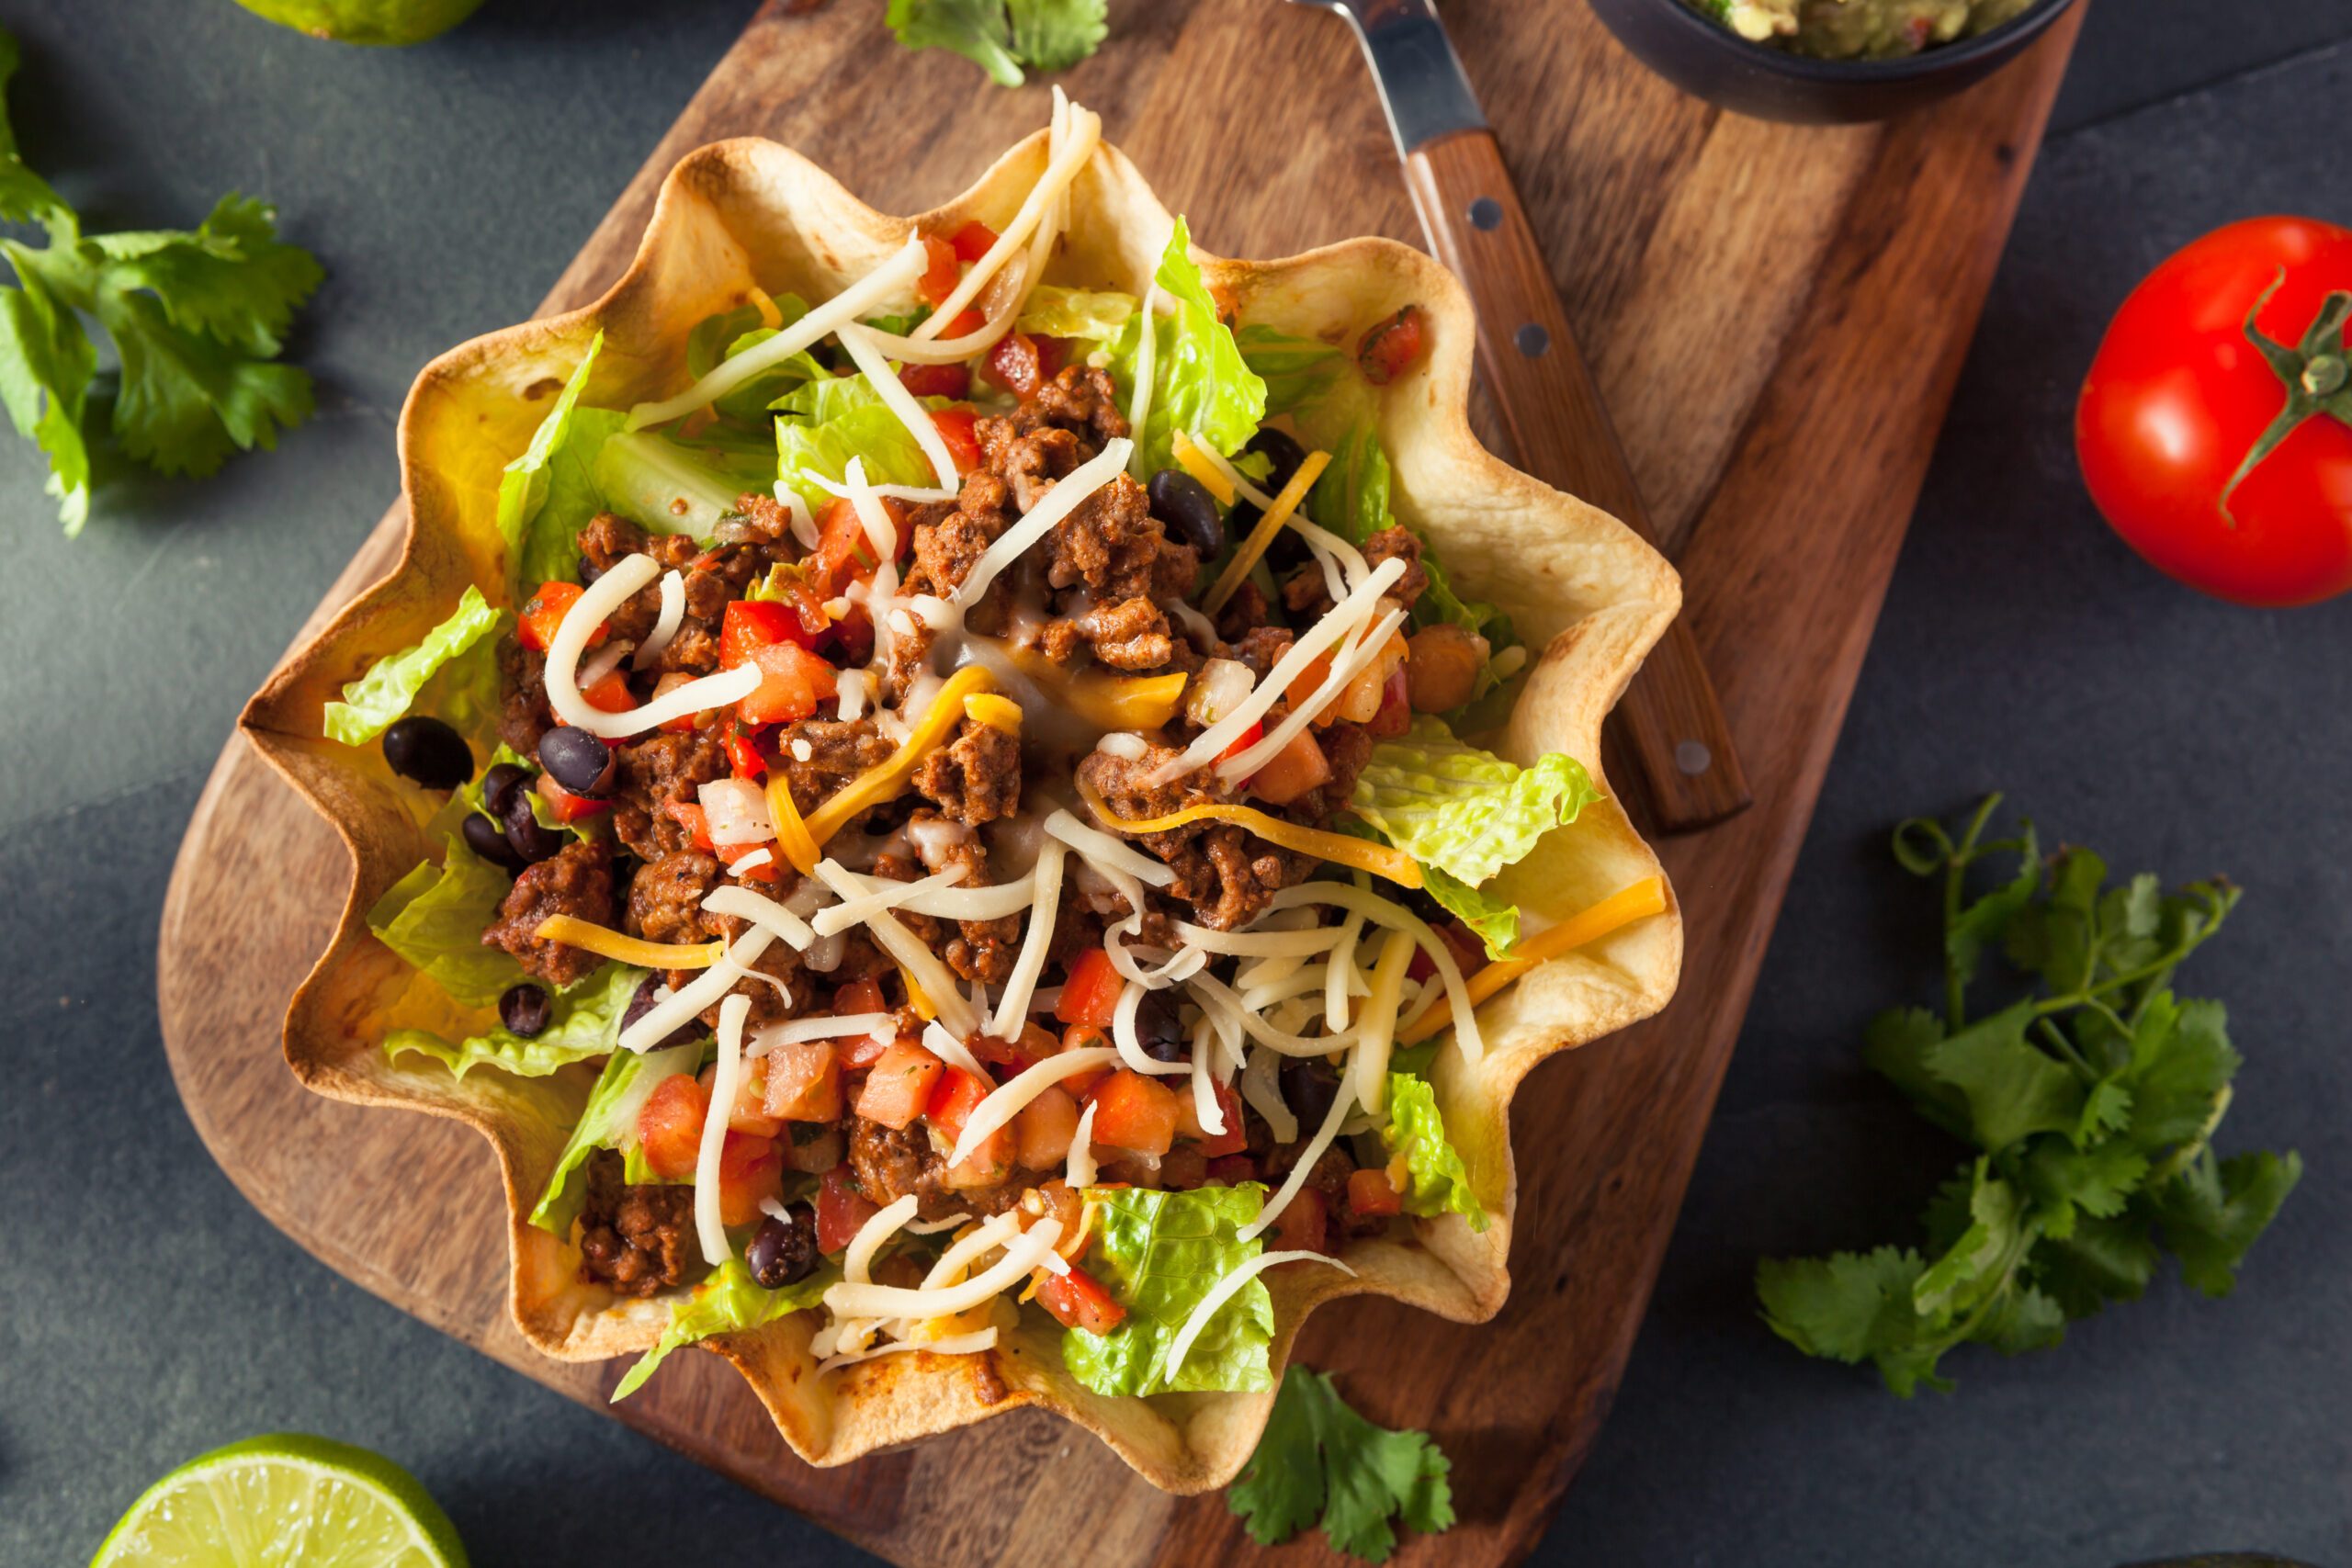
point(1777, 319)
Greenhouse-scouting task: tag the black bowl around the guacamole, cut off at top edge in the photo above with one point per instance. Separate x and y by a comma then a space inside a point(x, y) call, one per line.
point(1713, 62)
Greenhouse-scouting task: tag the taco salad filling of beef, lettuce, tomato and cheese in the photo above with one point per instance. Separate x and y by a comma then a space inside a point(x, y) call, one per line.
point(977, 779)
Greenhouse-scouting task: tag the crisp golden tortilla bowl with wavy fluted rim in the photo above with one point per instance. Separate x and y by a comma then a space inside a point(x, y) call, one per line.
point(1584, 591)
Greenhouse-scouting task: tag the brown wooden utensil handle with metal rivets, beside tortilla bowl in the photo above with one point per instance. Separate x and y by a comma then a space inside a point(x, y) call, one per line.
point(1669, 723)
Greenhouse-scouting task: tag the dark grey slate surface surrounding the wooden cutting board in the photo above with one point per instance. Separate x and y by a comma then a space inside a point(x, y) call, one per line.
point(149, 1313)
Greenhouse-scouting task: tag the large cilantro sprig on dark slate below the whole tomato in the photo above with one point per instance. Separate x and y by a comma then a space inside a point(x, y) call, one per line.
point(2092, 1104)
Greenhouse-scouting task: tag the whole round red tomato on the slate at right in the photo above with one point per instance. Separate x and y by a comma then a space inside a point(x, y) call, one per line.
point(2181, 396)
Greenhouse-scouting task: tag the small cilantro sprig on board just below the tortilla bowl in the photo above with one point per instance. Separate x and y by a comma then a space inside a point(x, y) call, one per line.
point(1321, 1461)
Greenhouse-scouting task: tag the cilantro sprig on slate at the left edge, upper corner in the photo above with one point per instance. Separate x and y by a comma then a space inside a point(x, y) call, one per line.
point(196, 321)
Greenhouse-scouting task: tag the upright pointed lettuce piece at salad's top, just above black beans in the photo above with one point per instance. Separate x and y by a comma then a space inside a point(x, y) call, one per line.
point(1201, 382)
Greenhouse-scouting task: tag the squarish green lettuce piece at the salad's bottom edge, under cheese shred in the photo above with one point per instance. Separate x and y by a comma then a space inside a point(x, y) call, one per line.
point(1161, 1254)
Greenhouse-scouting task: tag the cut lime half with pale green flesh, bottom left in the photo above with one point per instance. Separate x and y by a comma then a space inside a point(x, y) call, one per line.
point(286, 1501)
